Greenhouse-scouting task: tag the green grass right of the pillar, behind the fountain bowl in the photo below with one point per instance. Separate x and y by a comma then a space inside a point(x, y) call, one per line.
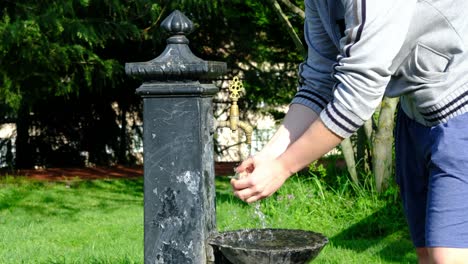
point(362, 226)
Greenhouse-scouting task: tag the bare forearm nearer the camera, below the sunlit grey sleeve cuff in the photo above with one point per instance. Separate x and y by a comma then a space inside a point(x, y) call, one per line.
point(315, 142)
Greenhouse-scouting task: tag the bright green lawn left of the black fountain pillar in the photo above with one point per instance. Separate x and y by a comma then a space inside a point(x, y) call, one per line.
point(76, 222)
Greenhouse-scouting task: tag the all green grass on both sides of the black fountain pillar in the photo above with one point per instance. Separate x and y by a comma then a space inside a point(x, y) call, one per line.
point(101, 221)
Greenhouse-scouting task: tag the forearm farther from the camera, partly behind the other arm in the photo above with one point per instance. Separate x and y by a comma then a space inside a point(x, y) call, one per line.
point(297, 121)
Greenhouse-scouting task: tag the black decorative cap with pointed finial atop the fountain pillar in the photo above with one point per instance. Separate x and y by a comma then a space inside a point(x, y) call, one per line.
point(177, 62)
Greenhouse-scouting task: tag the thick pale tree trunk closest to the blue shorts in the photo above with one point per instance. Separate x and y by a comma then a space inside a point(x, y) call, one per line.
point(383, 144)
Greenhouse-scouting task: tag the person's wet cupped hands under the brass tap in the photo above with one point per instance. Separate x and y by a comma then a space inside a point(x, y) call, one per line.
point(263, 179)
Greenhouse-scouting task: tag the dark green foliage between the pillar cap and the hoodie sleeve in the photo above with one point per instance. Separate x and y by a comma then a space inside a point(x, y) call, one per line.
point(250, 38)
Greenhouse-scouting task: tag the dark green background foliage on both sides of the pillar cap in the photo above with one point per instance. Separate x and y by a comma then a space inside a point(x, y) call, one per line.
point(62, 57)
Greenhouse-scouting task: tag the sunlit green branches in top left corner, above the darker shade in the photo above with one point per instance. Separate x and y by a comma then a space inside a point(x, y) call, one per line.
point(53, 49)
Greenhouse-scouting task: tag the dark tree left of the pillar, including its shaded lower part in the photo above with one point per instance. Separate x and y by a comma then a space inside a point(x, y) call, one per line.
point(58, 53)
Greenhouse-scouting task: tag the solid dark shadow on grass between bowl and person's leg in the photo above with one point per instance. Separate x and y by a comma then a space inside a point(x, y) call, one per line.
point(382, 227)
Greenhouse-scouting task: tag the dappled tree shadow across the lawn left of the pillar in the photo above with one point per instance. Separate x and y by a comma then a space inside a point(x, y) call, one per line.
point(68, 199)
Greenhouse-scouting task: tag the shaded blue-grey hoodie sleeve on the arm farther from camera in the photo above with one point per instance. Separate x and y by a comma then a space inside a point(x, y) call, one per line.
point(315, 73)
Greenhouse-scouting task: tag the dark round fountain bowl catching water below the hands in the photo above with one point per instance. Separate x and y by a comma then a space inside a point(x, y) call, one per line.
point(268, 246)
